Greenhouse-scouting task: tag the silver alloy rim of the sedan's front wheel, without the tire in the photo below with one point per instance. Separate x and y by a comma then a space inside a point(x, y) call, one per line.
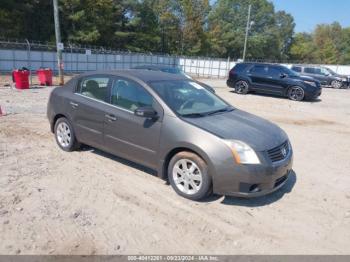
point(187, 176)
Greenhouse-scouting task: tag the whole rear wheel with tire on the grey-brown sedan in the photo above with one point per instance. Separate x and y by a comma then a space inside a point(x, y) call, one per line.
point(65, 136)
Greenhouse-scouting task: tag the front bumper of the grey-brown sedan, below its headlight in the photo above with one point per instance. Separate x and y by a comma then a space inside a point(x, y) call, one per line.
point(254, 180)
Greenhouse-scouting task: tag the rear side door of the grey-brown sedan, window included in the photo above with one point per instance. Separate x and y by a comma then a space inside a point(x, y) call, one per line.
point(88, 105)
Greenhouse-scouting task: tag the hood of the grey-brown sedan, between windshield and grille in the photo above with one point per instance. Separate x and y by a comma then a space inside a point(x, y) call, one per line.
point(258, 133)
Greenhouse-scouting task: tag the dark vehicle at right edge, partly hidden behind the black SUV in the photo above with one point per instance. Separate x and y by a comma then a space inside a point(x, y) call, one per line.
point(326, 76)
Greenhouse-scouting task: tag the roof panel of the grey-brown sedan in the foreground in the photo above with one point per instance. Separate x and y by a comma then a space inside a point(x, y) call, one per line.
point(144, 75)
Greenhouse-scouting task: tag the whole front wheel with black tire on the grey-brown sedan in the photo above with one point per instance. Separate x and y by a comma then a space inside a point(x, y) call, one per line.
point(194, 185)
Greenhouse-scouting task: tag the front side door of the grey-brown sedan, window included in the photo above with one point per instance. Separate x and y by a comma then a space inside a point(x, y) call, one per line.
point(127, 135)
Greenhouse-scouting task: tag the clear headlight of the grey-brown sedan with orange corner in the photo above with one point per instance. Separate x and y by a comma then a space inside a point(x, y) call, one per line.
point(242, 153)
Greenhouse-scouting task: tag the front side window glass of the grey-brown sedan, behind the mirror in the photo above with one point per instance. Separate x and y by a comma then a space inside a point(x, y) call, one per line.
point(129, 95)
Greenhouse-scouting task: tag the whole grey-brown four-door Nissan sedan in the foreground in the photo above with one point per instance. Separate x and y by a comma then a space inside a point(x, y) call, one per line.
point(174, 125)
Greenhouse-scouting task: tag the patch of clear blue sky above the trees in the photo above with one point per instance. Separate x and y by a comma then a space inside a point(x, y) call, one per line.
point(308, 13)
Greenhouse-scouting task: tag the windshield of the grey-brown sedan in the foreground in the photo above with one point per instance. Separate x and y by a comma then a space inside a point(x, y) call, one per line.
point(189, 99)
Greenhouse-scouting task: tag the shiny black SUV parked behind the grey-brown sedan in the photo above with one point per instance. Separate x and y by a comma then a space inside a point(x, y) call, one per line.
point(273, 79)
